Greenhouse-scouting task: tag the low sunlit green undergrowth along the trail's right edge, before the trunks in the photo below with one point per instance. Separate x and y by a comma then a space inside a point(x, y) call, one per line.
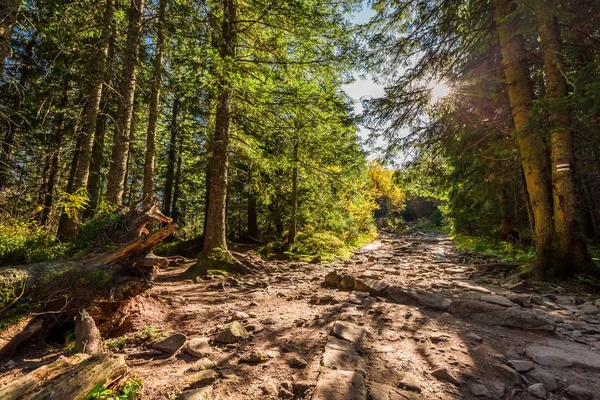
point(503, 251)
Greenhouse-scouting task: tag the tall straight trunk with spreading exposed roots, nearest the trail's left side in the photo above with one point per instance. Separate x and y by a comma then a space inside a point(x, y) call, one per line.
point(215, 236)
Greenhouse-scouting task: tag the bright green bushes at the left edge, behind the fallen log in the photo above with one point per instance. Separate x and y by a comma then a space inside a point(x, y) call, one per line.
point(27, 242)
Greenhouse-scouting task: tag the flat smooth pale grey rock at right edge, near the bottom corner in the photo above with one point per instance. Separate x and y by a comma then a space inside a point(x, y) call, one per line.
point(567, 355)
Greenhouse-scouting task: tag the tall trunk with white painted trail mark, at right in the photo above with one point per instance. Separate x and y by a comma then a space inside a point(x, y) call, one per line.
point(570, 247)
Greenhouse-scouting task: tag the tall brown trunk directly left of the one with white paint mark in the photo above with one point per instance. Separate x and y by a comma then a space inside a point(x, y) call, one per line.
point(534, 153)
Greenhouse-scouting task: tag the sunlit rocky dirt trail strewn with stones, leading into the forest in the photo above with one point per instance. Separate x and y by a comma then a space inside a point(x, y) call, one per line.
point(407, 317)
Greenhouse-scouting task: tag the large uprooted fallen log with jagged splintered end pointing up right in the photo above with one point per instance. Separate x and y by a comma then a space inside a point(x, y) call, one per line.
point(61, 289)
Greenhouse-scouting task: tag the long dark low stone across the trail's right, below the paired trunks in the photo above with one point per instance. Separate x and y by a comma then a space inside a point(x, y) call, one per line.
point(492, 314)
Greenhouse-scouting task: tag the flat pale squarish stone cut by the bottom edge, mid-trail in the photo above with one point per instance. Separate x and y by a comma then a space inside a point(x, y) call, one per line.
point(340, 385)
